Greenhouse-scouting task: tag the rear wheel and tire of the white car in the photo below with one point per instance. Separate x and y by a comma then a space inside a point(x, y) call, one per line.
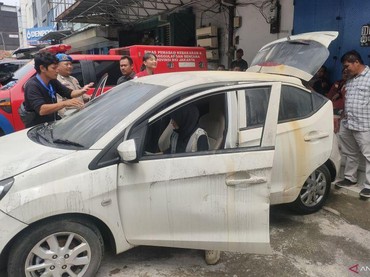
point(314, 192)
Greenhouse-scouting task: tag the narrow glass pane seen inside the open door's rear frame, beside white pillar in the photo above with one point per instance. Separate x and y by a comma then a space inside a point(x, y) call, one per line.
point(257, 100)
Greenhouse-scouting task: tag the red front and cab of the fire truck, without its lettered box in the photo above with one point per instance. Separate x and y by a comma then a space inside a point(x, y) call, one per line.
point(86, 68)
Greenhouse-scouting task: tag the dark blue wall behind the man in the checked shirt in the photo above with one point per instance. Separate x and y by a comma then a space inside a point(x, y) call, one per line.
point(346, 17)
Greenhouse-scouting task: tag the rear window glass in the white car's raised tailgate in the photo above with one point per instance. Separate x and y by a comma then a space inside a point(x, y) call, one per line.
point(305, 55)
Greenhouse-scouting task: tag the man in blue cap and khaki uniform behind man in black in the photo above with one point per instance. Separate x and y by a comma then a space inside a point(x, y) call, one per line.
point(64, 69)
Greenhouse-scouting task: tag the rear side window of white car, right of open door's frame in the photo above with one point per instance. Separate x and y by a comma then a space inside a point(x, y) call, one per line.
point(294, 104)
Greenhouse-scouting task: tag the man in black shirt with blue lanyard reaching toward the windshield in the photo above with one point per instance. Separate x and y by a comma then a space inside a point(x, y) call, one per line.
point(40, 104)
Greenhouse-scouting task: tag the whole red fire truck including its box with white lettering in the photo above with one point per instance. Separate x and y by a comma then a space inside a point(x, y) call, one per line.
point(90, 68)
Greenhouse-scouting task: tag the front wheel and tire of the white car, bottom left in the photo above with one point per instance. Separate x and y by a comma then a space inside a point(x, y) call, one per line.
point(56, 248)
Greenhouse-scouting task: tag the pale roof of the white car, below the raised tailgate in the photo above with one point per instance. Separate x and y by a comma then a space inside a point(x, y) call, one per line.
point(192, 78)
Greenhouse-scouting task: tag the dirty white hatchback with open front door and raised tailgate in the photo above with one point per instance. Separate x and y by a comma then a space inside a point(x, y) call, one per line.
point(70, 187)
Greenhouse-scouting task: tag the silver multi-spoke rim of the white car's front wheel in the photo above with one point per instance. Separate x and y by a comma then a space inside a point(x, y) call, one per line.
point(60, 254)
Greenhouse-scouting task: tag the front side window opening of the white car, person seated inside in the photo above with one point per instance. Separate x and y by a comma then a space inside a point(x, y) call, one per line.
point(210, 118)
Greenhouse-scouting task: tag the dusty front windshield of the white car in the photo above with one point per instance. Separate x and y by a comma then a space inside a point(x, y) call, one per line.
point(85, 127)
